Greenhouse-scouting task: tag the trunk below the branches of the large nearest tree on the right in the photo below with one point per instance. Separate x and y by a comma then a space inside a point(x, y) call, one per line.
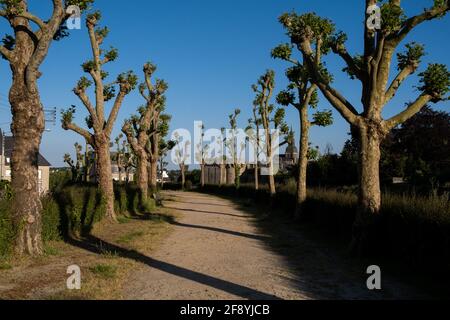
point(369, 201)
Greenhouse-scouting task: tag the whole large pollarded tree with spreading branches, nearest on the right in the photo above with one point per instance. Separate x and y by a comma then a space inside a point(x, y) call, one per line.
point(310, 32)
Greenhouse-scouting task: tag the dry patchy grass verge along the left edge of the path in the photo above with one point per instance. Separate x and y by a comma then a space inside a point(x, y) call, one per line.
point(103, 274)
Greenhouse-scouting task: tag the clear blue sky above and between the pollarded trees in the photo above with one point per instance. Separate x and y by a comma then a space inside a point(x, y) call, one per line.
point(210, 53)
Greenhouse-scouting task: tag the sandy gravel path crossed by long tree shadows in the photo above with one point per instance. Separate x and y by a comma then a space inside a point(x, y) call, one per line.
point(216, 251)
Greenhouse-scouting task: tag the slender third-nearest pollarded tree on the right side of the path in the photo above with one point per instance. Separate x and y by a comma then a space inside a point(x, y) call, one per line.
point(264, 90)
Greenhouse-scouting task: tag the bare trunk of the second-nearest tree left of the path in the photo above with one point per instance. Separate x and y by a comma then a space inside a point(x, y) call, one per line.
point(105, 175)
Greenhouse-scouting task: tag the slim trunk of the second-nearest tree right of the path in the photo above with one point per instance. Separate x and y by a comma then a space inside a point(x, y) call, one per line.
point(302, 162)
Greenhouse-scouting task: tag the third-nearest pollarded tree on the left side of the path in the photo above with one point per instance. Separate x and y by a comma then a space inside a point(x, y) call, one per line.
point(139, 130)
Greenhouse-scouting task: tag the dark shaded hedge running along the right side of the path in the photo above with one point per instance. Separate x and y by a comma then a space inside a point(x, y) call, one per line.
point(410, 228)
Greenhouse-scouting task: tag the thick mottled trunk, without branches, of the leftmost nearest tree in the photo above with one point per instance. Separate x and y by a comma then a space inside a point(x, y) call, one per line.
point(28, 126)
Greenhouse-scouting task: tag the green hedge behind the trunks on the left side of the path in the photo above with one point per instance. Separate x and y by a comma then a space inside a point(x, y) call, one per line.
point(73, 210)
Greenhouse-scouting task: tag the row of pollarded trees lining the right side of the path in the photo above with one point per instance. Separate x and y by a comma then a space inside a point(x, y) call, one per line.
point(313, 38)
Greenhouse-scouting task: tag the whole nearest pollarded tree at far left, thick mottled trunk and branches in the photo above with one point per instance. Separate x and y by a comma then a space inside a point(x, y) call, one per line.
point(25, 52)
